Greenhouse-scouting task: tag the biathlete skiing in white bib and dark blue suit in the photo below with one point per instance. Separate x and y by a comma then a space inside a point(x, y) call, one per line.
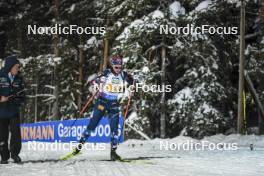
point(111, 90)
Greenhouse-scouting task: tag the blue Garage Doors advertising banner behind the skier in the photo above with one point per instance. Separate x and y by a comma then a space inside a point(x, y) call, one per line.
point(68, 131)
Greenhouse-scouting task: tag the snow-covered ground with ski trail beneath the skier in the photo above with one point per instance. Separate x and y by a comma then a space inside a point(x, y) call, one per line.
point(149, 160)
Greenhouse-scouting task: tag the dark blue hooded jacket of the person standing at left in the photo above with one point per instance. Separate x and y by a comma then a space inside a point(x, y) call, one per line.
point(10, 109)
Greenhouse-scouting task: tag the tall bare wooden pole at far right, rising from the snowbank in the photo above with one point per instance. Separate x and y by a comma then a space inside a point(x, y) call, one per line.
point(240, 113)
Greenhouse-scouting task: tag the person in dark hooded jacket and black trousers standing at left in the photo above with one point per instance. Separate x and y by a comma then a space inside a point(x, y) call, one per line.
point(11, 96)
